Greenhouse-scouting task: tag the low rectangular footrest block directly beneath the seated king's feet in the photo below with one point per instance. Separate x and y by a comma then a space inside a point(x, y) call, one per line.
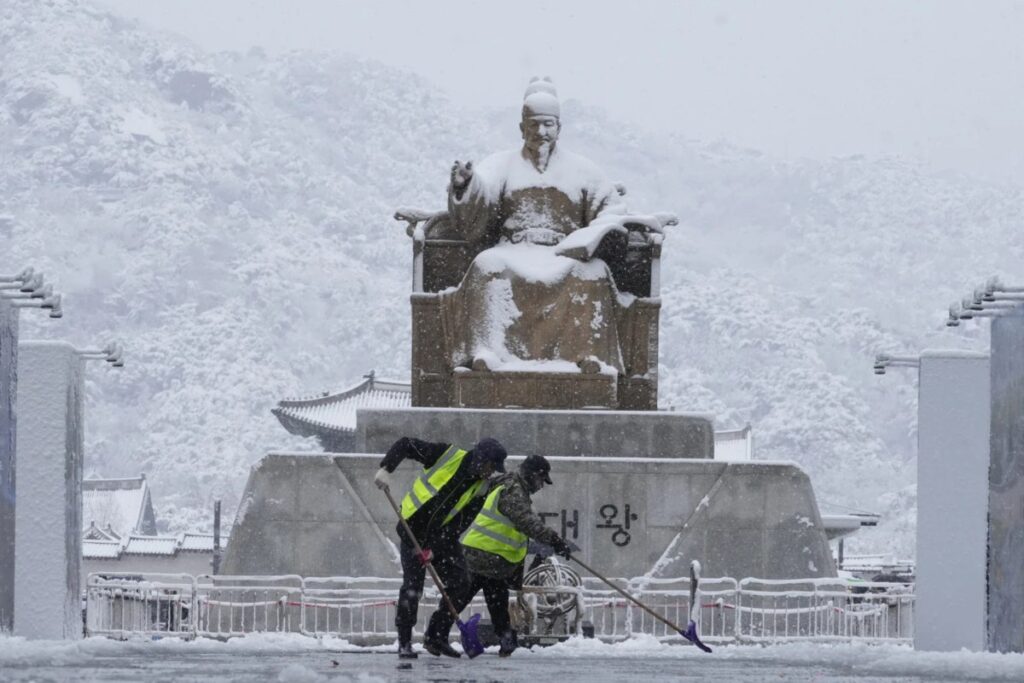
point(533, 391)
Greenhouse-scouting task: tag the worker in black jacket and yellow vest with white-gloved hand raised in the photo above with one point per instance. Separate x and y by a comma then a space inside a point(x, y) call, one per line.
point(443, 502)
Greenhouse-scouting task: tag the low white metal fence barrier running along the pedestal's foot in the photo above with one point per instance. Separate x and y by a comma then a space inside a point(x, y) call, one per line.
point(362, 610)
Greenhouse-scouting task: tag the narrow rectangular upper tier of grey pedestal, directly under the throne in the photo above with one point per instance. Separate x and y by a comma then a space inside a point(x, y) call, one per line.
point(595, 434)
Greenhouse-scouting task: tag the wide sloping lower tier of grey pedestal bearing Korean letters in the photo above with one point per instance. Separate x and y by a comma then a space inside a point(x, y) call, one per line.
point(322, 516)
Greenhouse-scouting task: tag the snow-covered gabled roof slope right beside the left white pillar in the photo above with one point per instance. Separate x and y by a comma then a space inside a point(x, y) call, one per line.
point(123, 505)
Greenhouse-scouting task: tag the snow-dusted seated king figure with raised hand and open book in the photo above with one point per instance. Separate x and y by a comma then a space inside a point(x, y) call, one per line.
point(550, 237)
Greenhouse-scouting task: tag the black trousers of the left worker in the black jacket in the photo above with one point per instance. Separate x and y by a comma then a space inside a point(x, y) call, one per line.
point(451, 567)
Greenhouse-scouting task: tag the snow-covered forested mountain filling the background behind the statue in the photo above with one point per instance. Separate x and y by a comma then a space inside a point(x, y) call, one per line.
point(230, 219)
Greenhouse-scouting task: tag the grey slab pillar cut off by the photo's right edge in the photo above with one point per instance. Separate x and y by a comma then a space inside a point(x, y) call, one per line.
point(1006, 488)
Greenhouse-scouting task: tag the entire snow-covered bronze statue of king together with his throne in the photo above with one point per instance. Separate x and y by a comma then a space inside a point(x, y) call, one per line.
point(537, 284)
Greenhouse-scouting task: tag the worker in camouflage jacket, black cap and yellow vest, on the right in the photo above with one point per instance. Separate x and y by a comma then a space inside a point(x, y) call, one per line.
point(495, 547)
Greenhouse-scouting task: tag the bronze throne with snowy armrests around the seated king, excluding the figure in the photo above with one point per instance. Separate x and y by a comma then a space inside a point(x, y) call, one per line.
point(441, 259)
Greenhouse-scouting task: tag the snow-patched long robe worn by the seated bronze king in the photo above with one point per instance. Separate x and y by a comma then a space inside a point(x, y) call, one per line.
point(521, 301)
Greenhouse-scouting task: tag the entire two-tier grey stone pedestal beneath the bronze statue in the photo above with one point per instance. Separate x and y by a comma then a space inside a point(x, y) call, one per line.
point(638, 492)
